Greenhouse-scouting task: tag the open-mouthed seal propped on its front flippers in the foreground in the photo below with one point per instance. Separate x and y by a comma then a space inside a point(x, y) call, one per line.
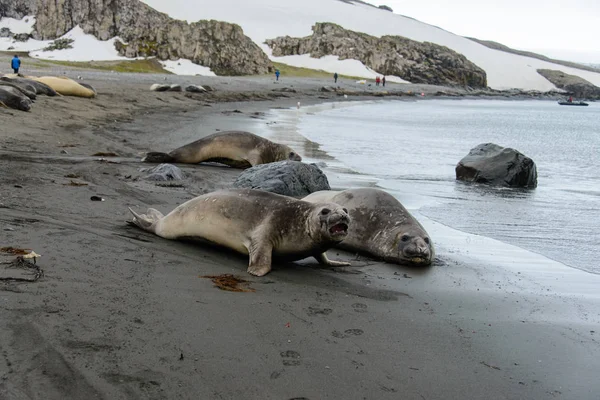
point(260, 224)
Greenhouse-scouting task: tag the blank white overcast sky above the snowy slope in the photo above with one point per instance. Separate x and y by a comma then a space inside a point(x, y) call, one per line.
point(556, 28)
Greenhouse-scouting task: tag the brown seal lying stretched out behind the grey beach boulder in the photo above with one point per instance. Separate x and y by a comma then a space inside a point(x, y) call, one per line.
point(238, 149)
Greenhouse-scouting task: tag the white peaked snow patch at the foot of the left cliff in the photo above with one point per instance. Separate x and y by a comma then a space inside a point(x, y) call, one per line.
point(85, 48)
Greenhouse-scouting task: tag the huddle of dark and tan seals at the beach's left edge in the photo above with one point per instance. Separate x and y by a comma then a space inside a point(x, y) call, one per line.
point(19, 91)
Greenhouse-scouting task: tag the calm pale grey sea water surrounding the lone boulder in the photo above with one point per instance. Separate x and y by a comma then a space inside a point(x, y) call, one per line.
point(411, 148)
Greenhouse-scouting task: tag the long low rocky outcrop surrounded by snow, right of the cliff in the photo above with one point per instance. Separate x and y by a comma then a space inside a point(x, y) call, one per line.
point(413, 61)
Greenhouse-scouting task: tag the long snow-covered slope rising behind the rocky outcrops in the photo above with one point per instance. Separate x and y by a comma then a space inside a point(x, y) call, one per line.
point(268, 19)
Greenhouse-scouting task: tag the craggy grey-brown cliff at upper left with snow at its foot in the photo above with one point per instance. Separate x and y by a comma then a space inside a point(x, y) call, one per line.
point(221, 46)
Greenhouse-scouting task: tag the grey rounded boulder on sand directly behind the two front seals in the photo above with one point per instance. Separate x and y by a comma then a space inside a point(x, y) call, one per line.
point(289, 178)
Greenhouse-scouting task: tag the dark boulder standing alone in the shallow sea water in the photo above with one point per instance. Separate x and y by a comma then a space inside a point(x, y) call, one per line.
point(498, 166)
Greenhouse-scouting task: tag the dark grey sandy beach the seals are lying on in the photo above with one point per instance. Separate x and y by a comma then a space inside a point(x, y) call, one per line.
point(123, 314)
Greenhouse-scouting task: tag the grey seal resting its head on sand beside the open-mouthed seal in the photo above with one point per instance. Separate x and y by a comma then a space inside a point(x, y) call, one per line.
point(381, 226)
